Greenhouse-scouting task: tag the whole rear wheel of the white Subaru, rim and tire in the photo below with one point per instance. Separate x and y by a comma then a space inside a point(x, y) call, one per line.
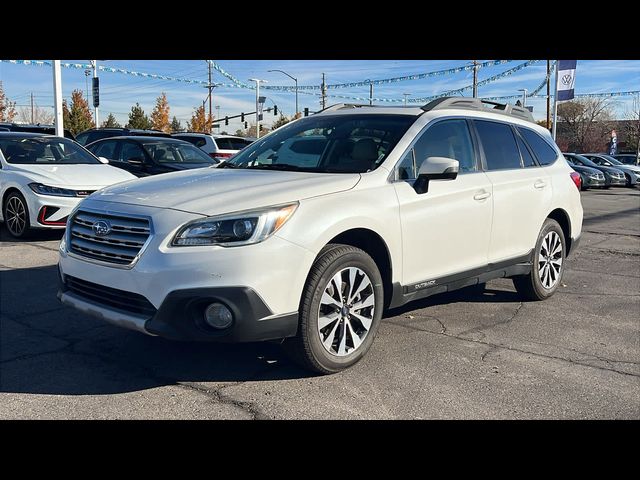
point(548, 264)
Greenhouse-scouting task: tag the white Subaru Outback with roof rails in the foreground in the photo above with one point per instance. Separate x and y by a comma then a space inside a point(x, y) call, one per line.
point(400, 204)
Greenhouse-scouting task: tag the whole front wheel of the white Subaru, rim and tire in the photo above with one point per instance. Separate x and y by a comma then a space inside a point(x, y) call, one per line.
point(340, 310)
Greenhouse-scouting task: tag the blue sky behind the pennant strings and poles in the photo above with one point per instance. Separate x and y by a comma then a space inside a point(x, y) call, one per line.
point(119, 91)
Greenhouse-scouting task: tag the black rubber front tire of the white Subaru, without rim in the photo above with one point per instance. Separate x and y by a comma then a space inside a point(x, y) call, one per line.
point(306, 348)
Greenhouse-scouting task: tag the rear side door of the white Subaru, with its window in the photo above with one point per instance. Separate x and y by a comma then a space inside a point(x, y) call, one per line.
point(521, 194)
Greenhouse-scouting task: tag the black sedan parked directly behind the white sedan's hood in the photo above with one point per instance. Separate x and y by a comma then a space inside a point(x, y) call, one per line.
point(145, 156)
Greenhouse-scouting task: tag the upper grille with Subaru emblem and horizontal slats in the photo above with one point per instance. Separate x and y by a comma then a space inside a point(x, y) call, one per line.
point(111, 238)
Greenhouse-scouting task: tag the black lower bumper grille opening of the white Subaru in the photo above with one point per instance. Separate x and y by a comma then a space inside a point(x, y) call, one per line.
point(110, 297)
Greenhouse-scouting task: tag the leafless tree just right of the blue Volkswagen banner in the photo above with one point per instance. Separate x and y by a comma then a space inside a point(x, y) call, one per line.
point(587, 123)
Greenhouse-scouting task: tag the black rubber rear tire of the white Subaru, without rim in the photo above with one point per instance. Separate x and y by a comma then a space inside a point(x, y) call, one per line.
point(530, 286)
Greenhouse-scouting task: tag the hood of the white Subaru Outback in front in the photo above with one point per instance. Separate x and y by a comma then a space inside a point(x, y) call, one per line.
point(212, 191)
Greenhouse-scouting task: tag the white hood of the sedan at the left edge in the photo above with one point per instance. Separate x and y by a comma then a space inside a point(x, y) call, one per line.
point(91, 177)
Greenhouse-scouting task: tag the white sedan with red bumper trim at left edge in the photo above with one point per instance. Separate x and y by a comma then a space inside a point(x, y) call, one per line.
point(43, 177)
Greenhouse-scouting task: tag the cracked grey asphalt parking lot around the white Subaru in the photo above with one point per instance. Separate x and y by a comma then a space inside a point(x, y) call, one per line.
point(453, 356)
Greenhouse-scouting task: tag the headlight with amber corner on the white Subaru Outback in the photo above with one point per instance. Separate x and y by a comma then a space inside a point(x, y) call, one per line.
point(235, 229)
